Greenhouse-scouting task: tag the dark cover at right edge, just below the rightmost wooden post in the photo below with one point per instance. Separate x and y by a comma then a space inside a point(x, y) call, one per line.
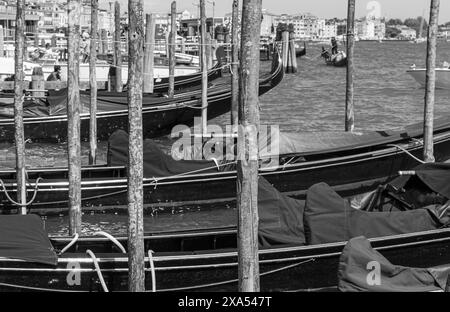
point(435, 175)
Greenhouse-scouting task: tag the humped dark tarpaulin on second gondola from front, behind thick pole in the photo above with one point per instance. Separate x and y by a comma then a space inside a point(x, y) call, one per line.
point(156, 163)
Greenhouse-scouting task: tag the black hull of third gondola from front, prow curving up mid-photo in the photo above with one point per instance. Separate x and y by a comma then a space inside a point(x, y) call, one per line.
point(160, 115)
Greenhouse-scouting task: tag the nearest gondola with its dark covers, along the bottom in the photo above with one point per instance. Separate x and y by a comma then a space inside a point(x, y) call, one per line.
point(207, 260)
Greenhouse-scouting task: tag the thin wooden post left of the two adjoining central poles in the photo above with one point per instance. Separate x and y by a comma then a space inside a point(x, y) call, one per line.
point(204, 67)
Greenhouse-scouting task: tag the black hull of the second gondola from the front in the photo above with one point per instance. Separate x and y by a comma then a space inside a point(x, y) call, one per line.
point(349, 172)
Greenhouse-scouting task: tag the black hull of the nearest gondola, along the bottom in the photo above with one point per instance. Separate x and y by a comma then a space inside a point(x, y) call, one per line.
point(307, 268)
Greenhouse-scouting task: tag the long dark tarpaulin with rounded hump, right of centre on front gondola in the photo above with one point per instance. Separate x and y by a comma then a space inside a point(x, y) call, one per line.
point(330, 218)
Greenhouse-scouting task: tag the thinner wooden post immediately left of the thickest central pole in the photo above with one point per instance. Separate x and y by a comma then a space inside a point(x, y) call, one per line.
point(235, 65)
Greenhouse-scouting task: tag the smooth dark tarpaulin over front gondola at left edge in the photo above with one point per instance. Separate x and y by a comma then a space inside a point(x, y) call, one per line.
point(24, 238)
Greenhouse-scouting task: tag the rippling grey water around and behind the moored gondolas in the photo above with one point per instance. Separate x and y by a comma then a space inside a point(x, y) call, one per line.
point(386, 97)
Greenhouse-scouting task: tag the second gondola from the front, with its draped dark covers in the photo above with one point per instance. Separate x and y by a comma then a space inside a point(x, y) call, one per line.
point(350, 163)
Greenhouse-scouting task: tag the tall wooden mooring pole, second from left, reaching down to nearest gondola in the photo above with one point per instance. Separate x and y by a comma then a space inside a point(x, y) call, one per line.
point(73, 117)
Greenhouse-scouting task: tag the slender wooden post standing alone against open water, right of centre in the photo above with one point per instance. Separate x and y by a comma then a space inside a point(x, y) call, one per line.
point(349, 109)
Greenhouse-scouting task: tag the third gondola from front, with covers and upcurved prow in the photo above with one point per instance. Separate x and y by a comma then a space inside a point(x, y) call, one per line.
point(47, 121)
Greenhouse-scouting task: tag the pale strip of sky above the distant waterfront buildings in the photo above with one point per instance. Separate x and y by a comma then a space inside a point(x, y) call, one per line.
point(322, 8)
